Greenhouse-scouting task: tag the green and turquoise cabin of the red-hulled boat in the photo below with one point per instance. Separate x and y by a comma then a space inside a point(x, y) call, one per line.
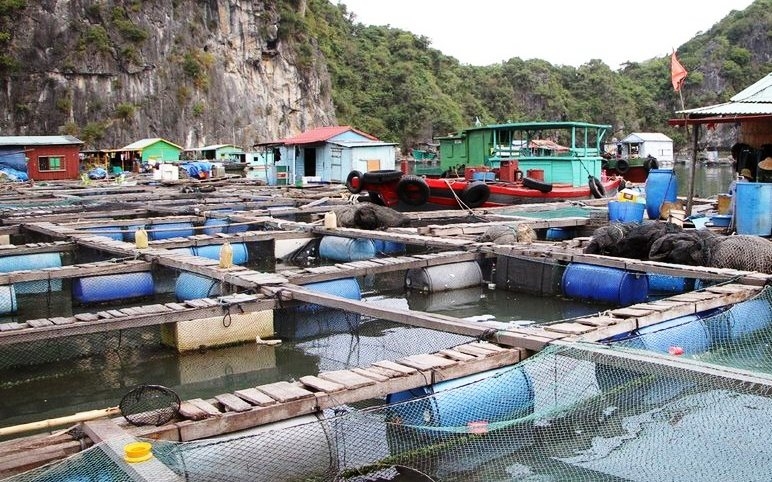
point(553, 152)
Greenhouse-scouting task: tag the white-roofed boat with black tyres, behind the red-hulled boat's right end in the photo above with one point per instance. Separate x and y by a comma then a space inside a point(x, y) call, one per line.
point(637, 154)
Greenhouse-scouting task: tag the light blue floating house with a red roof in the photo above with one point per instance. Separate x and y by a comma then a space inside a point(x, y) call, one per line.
point(328, 154)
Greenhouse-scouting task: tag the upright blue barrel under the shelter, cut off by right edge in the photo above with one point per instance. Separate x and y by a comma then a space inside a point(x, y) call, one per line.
point(753, 208)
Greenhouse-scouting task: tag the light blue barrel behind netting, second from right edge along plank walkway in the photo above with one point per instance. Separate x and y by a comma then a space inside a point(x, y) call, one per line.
point(688, 332)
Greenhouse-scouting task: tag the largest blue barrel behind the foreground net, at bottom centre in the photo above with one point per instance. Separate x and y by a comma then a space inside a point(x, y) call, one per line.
point(487, 397)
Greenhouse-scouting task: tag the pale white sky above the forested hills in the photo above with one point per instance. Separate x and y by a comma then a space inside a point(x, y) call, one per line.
point(562, 32)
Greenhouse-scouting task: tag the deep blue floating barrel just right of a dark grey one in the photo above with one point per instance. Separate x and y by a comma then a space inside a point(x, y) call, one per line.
point(601, 283)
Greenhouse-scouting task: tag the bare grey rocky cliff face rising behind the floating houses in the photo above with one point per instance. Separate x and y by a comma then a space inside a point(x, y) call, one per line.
point(195, 72)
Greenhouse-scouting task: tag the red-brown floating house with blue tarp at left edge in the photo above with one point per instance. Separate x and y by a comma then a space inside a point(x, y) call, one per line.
point(41, 158)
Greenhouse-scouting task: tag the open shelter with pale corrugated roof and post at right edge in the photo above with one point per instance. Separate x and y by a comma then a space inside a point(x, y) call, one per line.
point(751, 109)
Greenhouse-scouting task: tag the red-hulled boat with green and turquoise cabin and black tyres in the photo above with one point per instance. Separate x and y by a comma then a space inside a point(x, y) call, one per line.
point(500, 165)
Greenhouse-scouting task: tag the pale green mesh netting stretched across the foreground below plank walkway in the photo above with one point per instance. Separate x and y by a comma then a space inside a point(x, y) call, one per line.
point(689, 400)
